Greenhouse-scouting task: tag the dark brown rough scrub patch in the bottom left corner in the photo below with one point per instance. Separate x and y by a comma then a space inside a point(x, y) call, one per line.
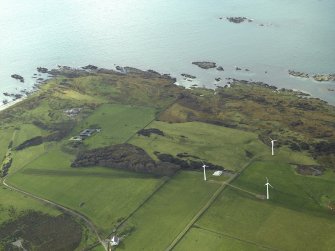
point(41, 232)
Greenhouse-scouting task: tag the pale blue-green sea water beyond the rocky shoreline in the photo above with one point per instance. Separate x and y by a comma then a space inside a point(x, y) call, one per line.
point(168, 35)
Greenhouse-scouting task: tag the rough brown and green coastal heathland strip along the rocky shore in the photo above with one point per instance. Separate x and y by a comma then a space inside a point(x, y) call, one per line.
point(300, 122)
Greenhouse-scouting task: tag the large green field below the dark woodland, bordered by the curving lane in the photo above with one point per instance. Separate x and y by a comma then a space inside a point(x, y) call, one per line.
point(96, 192)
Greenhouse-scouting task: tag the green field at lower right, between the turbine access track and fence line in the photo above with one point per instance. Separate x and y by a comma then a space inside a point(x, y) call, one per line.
point(265, 224)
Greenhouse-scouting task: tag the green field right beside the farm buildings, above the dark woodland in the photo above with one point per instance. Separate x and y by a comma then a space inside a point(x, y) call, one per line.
point(118, 123)
